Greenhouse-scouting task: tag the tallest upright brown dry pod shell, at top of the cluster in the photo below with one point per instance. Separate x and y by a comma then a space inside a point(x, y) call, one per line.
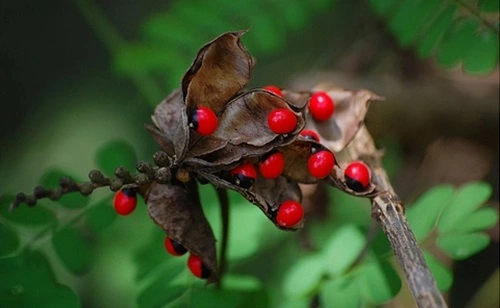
point(221, 69)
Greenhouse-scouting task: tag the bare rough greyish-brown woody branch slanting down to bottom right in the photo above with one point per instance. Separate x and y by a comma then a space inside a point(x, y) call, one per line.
point(388, 211)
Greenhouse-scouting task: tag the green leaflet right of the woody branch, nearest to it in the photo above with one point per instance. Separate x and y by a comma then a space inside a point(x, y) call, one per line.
point(423, 214)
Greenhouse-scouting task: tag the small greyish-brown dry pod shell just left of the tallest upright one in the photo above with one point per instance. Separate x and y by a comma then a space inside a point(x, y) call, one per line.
point(170, 119)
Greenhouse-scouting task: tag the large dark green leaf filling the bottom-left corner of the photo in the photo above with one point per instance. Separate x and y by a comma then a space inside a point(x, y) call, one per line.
point(28, 281)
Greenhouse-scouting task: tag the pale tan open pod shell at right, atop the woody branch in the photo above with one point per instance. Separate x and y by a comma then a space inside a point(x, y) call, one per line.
point(349, 115)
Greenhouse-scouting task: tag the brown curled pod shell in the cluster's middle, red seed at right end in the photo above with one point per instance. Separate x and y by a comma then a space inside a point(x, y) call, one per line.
point(243, 131)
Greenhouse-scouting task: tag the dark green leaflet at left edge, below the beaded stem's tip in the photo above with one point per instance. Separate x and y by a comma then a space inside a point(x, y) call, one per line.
point(30, 216)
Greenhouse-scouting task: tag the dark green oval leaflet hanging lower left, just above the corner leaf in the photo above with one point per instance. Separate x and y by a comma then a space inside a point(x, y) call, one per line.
point(72, 250)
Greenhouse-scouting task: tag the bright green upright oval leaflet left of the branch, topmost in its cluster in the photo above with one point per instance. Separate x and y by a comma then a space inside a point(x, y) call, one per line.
point(342, 249)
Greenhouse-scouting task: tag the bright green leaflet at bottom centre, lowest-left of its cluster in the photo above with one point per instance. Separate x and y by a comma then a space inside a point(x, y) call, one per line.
point(304, 276)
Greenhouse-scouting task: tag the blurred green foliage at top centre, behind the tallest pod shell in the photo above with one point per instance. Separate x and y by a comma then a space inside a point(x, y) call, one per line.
point(170, 39)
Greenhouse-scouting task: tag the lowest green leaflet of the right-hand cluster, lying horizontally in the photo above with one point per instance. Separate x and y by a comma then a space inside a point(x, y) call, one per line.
point(462, 246)
